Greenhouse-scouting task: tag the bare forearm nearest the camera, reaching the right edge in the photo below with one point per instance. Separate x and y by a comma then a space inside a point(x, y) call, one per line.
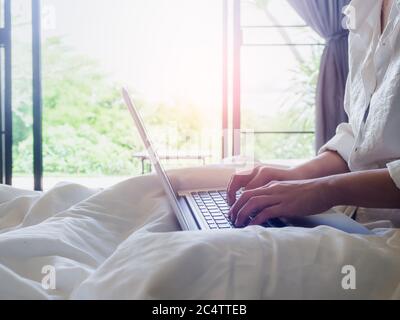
point(369, 189)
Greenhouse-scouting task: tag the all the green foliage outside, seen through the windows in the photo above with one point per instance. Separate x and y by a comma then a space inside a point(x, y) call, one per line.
point(87, 129)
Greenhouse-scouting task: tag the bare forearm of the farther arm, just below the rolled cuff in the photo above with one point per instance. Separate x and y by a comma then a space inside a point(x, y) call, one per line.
point(327, 164)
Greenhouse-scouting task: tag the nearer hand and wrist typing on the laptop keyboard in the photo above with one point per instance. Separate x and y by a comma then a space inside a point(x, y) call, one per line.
point(281, 199)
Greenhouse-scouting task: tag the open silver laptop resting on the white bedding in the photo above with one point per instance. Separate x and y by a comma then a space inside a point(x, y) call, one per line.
point(207, 209)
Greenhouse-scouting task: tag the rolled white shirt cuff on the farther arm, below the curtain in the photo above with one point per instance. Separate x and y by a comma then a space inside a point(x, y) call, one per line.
point(343, 142)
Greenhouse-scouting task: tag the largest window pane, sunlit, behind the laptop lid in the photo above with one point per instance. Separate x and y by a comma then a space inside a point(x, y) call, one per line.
point(162, 50)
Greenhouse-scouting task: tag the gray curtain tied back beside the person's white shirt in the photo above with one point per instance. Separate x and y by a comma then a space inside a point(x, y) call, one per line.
point(325, 17)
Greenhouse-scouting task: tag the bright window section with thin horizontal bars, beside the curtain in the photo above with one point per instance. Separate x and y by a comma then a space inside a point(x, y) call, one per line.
point(279, 81)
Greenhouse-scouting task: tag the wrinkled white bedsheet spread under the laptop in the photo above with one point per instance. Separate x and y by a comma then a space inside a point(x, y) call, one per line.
point(122, 243)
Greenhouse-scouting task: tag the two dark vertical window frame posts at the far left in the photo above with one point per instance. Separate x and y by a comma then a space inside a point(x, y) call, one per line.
point(6, 114)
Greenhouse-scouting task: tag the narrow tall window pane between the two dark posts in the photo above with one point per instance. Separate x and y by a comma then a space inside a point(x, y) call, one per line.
point(22, 94)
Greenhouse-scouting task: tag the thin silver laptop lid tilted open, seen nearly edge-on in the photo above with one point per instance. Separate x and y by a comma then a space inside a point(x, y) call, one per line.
point(155, 160)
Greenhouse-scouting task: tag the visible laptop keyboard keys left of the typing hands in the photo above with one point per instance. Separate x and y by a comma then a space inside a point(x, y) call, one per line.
point(214, 208)
